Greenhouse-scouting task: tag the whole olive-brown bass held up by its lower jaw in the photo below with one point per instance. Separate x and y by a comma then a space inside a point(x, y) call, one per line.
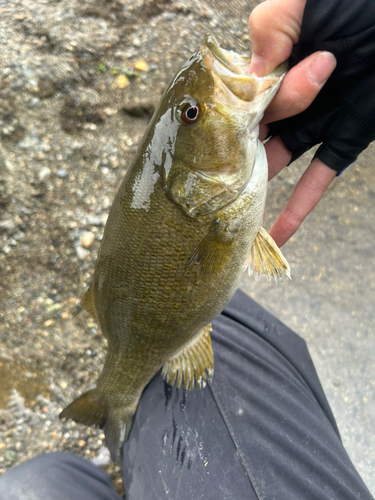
point(184, 225)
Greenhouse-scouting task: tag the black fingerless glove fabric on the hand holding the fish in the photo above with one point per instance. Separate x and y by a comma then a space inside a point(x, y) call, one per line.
point(342, 117)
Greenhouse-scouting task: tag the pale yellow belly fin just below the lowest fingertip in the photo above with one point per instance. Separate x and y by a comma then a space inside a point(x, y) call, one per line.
point(266, 258)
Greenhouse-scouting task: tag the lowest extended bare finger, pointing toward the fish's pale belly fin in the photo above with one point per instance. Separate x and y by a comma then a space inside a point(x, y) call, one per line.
point(306, 195)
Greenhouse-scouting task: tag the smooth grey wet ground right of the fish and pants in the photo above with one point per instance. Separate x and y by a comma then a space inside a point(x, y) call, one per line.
point(330, 299)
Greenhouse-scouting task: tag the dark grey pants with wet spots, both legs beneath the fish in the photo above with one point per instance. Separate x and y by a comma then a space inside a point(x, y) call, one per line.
point(262, 430)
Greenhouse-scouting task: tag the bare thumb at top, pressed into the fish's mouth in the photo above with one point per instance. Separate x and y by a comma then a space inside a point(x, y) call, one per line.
point(275, 27)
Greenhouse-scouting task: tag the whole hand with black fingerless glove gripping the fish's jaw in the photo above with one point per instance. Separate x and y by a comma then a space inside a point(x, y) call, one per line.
point(342, 116)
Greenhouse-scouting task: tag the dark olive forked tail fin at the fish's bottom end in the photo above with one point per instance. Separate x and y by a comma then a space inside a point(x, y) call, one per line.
point(89, 409)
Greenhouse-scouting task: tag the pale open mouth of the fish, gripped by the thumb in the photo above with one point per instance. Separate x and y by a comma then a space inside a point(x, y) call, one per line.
point(234, 86)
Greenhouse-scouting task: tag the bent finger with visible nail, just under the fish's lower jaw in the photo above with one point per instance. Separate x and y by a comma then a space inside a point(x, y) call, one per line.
point(300, 86)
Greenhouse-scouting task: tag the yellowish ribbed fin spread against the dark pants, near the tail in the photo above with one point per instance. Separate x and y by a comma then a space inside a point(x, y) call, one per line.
point(195, 363)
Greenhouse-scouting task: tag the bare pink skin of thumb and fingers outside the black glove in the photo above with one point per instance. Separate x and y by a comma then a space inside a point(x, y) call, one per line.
point(275, 28)
